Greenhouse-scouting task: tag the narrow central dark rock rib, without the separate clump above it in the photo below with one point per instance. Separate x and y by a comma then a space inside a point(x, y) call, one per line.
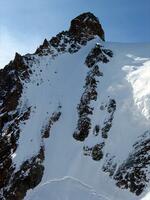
point(84, 108)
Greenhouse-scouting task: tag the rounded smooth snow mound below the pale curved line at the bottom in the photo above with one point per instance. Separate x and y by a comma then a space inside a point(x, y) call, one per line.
point(65, 188)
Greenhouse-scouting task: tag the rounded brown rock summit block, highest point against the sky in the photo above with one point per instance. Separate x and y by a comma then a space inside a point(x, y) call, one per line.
point(86, 23)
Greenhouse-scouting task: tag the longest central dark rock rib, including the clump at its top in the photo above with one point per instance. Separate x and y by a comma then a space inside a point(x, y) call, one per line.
point(90, 92)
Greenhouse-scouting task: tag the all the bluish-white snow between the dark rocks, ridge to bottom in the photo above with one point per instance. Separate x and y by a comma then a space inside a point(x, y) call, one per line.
point(61, 81)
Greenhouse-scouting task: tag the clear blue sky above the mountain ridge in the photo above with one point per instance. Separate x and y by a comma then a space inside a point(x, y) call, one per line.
point(25, 23)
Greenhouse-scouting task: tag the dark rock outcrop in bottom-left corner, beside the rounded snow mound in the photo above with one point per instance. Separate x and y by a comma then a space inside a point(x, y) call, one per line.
point(27, 177)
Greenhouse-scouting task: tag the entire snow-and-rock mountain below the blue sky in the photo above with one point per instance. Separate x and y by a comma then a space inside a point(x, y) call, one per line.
point(75, 119)
